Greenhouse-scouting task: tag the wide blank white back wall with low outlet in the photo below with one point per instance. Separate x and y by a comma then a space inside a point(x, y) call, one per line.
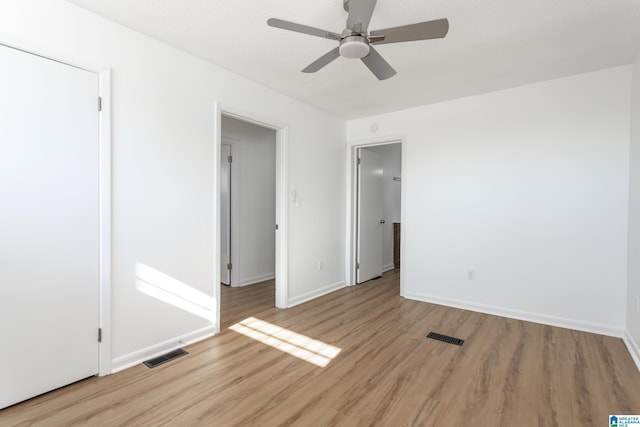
point(528, 188)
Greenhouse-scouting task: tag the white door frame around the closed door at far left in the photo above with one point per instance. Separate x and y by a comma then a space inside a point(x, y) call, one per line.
point(105, 165)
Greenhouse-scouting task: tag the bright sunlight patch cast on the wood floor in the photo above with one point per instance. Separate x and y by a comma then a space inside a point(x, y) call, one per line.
point(300, 346)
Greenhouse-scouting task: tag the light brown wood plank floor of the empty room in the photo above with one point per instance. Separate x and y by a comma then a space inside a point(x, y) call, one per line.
point(507, 373)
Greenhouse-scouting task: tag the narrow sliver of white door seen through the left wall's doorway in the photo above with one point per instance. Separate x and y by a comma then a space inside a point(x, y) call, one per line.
point(225, 214)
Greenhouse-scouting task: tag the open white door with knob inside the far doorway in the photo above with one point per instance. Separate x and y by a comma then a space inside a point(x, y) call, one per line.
point(370, 215)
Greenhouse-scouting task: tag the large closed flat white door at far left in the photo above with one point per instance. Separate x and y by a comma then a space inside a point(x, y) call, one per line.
point(49, 219)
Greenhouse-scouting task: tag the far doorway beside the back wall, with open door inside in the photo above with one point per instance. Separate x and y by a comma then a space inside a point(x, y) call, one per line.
point(375, 209)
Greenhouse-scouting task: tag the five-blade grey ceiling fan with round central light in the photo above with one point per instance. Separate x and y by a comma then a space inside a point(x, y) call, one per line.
point(356, 41)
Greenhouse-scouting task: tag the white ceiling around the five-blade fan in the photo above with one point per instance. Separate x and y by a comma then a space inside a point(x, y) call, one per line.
point(491, 45)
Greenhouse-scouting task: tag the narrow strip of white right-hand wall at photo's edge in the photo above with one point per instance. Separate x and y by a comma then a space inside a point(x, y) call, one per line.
point(633, 290)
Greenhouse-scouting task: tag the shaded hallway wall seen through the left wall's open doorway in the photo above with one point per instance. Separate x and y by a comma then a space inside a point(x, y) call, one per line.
point(254, 200)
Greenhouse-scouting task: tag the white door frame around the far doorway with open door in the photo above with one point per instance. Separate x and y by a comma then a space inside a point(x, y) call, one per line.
point(351, 228)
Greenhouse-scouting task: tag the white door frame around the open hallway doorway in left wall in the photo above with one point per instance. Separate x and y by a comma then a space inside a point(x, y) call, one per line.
point(282, 144)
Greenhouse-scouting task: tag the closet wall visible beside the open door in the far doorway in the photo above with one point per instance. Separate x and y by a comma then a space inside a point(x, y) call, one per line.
point(392, 165)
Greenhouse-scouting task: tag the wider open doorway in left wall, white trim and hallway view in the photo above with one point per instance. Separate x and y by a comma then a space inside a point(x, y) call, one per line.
point(265, 162)
